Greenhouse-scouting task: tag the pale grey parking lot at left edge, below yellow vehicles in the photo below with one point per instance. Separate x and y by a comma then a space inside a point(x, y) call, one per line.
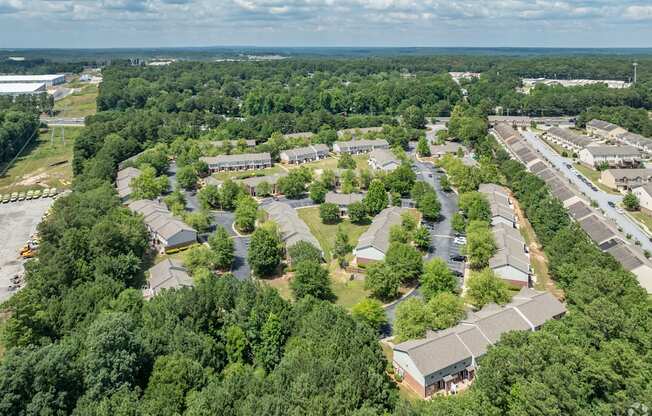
point(18, 221)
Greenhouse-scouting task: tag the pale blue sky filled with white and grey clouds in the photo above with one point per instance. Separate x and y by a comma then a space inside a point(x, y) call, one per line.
point(444, 23)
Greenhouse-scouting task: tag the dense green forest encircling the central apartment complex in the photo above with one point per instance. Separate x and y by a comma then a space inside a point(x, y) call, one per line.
point(81, 340)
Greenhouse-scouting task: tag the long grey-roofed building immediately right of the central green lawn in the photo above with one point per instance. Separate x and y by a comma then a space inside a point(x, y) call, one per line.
point(374, 243)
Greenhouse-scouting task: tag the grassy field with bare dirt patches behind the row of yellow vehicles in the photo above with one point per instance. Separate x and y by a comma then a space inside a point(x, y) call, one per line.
point(42, 164)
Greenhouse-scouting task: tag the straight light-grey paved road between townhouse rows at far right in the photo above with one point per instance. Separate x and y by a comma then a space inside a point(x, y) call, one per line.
point(601, 197)
